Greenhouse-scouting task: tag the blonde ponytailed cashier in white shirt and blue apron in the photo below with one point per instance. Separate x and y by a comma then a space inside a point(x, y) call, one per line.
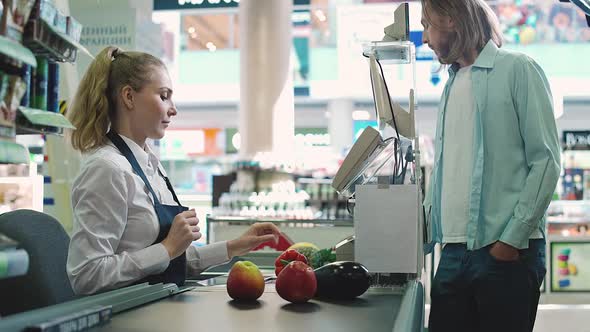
point(129, 226)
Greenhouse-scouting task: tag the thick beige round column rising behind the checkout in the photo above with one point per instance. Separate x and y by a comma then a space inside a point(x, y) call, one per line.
point(266, 111)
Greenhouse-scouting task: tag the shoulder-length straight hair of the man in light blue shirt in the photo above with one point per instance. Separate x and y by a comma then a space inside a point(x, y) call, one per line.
point(475, 24)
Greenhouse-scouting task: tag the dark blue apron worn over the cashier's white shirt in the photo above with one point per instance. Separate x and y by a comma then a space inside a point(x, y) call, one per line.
point(176, 271)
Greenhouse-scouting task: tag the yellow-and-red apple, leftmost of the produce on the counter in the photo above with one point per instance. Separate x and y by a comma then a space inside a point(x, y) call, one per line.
point(245, 282)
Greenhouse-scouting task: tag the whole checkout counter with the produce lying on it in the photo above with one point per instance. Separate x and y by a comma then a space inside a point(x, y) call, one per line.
point(206, 306)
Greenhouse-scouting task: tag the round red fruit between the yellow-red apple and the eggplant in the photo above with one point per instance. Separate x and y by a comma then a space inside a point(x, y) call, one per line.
point(296, 283)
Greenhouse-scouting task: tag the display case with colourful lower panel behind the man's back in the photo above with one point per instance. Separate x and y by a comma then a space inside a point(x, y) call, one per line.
point(568, 219)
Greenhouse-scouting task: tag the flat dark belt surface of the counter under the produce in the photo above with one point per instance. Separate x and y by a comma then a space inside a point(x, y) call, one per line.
point(211, 309)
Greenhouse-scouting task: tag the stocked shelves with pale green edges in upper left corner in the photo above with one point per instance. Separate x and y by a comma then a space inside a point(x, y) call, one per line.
point(35, 35)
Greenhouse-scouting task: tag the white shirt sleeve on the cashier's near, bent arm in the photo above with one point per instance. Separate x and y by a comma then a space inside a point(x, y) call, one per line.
point(99, 201)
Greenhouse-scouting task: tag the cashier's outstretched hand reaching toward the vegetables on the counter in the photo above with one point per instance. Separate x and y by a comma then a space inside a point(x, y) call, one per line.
point(257, 234)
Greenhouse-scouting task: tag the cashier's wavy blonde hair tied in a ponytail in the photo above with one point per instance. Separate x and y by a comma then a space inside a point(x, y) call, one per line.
point(94, 106)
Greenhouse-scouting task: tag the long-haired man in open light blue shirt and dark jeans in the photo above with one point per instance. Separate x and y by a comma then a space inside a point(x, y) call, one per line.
point(496, 167)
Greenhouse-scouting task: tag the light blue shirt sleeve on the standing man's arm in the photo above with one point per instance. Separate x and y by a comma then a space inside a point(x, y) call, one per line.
point(538, 130)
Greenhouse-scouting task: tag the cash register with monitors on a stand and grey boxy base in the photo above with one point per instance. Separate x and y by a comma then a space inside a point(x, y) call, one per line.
point(381, 175)
